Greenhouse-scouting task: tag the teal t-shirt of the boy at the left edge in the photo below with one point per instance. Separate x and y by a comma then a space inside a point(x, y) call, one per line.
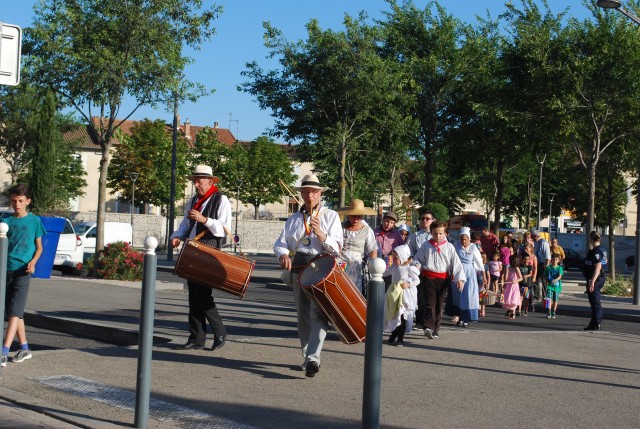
point(22, 235)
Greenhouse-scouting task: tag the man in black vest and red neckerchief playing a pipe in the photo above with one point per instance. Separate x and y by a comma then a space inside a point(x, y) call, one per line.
point(209, 212)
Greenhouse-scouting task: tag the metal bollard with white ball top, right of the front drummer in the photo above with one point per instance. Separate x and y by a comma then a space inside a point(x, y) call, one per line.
point(373, 346)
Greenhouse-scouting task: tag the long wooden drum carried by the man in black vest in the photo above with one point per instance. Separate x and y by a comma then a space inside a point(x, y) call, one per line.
point(213, 268)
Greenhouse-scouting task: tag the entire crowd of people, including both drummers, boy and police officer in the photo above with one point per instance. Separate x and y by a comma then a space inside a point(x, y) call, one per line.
point(428, 273)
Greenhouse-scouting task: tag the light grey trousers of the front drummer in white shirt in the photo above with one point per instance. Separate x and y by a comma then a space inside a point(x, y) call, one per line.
point(312, 327)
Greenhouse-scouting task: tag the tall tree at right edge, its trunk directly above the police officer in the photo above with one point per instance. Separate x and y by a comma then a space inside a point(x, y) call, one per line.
point(600, 100)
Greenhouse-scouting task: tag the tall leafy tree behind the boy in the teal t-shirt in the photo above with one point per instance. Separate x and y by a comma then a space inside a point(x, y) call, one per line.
point(95, 53)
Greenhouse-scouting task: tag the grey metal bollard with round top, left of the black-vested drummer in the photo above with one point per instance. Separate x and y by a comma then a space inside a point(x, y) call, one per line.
point(145, 336)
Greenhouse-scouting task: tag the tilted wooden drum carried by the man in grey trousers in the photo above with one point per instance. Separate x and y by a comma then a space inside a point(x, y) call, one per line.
point(337, 297)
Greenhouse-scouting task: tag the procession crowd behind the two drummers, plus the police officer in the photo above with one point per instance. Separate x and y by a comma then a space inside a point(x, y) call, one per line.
point(458, 277)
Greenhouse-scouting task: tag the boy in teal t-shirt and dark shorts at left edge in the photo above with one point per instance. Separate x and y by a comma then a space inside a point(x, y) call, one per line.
point(25, 248)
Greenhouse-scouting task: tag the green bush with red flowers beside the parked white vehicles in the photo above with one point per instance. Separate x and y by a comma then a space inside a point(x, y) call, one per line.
point(117, 261)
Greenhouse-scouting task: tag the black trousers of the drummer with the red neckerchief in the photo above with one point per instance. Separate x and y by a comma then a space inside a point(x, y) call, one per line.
point(202, 308)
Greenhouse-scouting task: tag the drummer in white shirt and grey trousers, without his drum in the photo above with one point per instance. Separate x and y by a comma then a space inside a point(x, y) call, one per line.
point(307, 233)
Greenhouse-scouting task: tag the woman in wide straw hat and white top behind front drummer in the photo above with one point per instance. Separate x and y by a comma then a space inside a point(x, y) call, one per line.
point(359, 241)
